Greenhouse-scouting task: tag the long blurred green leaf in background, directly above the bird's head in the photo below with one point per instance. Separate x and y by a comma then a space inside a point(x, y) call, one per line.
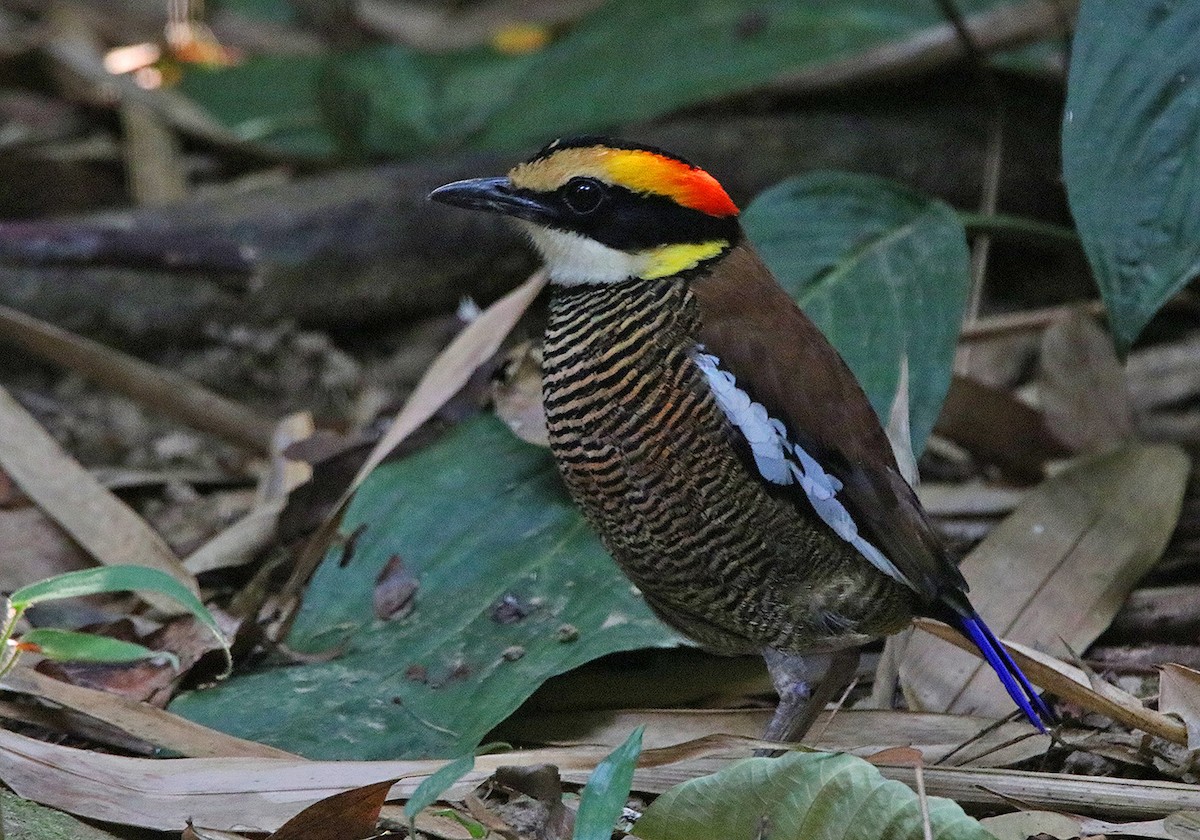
point(633, 61)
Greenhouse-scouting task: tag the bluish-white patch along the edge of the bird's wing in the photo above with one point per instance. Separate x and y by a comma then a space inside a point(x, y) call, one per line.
point(784, 463)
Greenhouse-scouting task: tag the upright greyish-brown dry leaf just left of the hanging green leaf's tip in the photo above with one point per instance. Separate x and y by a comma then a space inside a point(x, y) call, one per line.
point(1084, 393)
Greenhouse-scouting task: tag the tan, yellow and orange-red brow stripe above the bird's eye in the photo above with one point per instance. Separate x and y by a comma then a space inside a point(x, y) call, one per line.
point(640, 170)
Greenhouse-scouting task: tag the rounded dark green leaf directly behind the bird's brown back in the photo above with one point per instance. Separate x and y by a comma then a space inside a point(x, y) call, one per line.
point(884, 272)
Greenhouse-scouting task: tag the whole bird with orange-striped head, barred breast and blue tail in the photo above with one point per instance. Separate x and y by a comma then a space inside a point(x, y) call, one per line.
point(712, 436)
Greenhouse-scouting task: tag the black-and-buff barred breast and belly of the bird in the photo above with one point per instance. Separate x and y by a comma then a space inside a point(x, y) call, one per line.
point(650, 458)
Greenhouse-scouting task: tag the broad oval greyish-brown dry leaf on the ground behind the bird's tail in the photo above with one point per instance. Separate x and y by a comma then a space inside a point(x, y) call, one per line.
point(1055, 573)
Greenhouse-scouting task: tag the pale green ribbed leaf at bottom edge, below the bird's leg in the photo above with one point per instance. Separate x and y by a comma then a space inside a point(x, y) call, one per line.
point(801, 795)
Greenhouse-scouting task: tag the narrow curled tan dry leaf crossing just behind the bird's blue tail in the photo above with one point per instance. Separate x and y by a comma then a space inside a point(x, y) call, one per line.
point(1073, 686)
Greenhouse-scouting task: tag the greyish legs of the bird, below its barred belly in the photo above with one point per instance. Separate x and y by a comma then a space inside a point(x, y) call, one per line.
point(806, 685)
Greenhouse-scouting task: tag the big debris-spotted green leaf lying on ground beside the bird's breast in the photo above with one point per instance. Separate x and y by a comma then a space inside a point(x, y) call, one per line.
point(488, 536)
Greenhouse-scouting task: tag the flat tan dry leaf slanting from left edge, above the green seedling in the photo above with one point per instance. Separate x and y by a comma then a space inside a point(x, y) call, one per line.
point(100, 523)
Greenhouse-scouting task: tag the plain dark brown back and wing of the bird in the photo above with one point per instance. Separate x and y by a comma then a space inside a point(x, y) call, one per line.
point(783, 361)
